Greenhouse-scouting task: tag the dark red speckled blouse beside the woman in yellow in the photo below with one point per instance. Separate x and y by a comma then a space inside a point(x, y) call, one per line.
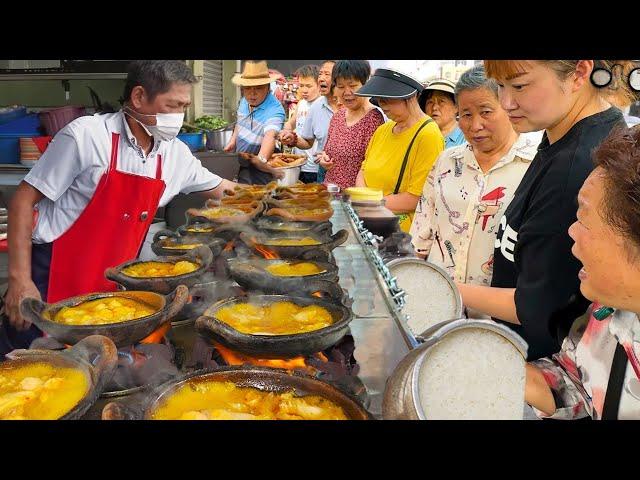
point(346, 146)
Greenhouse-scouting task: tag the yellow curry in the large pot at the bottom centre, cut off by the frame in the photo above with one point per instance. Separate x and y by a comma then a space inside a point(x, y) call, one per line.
point(216, 400)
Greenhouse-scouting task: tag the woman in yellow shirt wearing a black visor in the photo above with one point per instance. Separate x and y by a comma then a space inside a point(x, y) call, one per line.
point(402, 151)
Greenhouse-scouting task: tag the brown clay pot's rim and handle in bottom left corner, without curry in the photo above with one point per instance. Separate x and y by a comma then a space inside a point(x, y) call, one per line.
point(95, 356)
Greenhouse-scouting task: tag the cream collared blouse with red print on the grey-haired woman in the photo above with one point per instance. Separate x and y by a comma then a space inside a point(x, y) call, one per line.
point(458, 215)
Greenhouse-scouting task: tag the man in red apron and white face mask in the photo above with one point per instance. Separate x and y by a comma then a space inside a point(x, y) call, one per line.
point(97, 188)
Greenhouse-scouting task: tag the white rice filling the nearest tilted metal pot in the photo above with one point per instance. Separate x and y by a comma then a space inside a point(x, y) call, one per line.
point(472, 374)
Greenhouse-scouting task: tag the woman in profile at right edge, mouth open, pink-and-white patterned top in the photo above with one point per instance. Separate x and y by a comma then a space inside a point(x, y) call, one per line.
point(597, 371)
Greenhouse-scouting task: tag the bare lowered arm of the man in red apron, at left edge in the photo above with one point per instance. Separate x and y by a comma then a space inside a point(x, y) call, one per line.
point(20, 227)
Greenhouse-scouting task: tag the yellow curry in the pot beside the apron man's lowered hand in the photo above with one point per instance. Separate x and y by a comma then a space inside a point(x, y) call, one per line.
point(103, 311)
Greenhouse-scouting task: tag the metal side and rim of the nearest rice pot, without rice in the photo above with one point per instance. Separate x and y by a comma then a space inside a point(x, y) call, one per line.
point(401, 395)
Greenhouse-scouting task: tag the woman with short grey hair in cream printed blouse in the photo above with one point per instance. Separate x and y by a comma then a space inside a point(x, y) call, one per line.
point(472, 185)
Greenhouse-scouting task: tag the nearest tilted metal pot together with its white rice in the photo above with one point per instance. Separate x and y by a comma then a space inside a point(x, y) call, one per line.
point(466, 370)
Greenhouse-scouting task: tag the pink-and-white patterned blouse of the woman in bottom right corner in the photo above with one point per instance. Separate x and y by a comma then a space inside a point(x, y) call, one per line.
point(578, 375)
